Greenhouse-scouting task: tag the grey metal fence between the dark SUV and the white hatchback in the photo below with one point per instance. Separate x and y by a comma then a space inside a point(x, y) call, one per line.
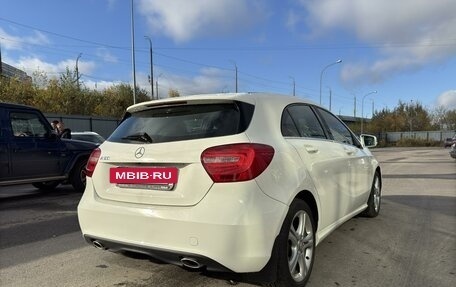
point(102, 126)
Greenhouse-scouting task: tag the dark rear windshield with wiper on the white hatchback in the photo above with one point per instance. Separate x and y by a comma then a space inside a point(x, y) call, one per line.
point(183, 122)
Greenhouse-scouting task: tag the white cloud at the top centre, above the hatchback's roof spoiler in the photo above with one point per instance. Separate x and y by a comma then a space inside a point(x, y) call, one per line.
point(183, 20)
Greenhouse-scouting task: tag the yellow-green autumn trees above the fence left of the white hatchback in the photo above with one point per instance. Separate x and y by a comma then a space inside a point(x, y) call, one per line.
point(65, 95)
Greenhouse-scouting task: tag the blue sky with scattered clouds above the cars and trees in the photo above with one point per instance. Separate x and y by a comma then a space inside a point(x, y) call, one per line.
point(405, 50)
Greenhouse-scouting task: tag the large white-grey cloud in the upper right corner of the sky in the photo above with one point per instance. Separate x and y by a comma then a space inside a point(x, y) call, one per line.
point(408, 33)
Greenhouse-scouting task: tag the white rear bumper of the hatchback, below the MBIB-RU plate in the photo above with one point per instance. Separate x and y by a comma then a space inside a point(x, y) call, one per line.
point(232, 228)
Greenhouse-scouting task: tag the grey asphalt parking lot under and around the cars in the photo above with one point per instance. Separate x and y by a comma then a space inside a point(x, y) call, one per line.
point(411, 243)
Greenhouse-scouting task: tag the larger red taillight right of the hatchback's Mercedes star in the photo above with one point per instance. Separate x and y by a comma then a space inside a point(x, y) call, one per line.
point(236, 162)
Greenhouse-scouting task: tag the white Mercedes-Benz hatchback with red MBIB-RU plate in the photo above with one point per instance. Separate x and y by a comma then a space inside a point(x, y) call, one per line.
point(245, 183)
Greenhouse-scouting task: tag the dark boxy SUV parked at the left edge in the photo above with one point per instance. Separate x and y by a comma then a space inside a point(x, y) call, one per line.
point(31, 152)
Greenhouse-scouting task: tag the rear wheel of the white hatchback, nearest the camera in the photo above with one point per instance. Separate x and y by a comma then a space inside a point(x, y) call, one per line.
point(296, 248)
